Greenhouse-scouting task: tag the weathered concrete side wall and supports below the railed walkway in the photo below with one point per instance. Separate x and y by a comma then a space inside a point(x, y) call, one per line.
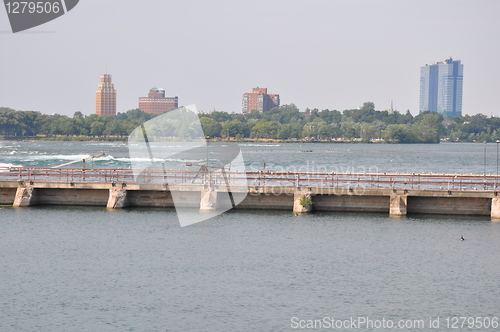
point(285, 198)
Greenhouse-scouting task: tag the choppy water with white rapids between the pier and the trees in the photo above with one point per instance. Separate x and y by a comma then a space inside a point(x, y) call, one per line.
point(336, 157)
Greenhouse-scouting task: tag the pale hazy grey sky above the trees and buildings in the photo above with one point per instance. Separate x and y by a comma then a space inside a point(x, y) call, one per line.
point(324, 54)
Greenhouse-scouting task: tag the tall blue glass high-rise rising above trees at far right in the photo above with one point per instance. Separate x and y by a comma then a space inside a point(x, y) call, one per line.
point(441, 86)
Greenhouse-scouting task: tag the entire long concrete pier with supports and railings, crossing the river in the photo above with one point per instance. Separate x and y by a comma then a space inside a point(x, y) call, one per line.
point(395, 194)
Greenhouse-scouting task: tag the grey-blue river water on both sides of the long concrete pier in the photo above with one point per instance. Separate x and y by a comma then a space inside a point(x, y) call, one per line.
point(90, 269)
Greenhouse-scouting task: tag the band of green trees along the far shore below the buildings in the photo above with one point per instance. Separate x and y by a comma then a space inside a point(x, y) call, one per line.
point(284, 123)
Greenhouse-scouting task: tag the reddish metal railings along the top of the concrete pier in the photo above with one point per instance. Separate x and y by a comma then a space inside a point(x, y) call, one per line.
point(298, 179)
